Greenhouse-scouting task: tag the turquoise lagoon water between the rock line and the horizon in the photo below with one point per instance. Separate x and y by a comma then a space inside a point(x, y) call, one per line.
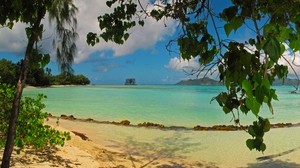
point(171, 105)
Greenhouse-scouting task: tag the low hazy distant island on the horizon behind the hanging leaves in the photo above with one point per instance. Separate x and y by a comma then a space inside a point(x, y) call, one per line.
point(209, 81)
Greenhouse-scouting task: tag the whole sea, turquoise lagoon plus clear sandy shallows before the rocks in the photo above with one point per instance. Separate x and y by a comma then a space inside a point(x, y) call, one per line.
point(175, 105)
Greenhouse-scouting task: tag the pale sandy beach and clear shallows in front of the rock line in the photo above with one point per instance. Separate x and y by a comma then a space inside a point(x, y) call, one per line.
point(119, 146)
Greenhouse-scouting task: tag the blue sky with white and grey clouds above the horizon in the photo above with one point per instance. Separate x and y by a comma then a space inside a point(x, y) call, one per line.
point(143, 56)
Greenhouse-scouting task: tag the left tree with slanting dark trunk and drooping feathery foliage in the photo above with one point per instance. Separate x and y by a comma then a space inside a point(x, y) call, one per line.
point(31, 12)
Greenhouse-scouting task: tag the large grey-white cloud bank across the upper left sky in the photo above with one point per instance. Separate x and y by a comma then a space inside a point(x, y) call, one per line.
point(140, 37)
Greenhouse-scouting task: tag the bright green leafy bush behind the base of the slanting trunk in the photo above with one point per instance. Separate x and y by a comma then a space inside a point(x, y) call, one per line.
point(31, 131)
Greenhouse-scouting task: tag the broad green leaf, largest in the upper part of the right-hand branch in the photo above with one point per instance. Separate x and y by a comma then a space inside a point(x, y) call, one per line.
point(272, 48)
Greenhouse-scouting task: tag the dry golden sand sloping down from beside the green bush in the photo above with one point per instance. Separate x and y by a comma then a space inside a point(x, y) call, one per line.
point(86, 154)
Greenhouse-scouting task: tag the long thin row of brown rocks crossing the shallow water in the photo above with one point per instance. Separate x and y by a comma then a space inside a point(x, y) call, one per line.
point(127, 123)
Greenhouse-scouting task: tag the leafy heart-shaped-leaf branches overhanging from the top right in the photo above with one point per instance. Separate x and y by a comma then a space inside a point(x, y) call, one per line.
point(247, 68)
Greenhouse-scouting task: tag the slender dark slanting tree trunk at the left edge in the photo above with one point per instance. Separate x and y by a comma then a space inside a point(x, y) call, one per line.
point(9, 145)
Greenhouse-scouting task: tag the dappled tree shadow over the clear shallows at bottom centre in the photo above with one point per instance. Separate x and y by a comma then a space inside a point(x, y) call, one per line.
point(162, 152)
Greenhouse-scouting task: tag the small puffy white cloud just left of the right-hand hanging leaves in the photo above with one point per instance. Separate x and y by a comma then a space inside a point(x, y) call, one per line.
point(179, 64)
